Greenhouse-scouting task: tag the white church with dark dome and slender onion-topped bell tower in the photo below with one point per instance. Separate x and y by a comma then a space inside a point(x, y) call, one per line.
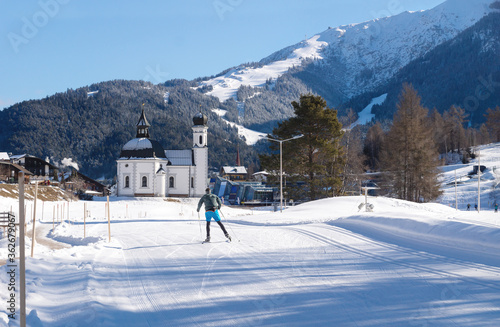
point(146, 169)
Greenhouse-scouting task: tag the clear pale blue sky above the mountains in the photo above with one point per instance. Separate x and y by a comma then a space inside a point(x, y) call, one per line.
point(48, 46)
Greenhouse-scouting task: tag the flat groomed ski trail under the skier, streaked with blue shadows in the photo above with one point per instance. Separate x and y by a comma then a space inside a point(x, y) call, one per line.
point(285, 274)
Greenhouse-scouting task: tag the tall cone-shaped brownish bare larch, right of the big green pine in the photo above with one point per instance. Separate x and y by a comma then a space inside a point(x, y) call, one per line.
point(410, 158)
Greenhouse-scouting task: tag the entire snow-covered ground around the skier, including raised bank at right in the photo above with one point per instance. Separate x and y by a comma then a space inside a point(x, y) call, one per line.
point(323, 263)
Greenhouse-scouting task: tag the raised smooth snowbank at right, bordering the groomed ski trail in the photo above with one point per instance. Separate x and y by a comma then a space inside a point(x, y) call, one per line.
point(432, 227)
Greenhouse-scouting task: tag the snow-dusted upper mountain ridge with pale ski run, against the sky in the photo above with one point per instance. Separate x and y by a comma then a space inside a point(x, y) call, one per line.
point(356, 58)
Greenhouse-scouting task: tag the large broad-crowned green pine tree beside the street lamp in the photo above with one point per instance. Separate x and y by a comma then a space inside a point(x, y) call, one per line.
point(317, 157)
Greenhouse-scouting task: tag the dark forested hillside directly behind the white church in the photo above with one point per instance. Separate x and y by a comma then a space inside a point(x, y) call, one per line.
point(92, 129)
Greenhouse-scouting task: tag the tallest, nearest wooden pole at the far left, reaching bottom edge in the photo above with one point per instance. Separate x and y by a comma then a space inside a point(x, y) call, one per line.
point(22, 251)
